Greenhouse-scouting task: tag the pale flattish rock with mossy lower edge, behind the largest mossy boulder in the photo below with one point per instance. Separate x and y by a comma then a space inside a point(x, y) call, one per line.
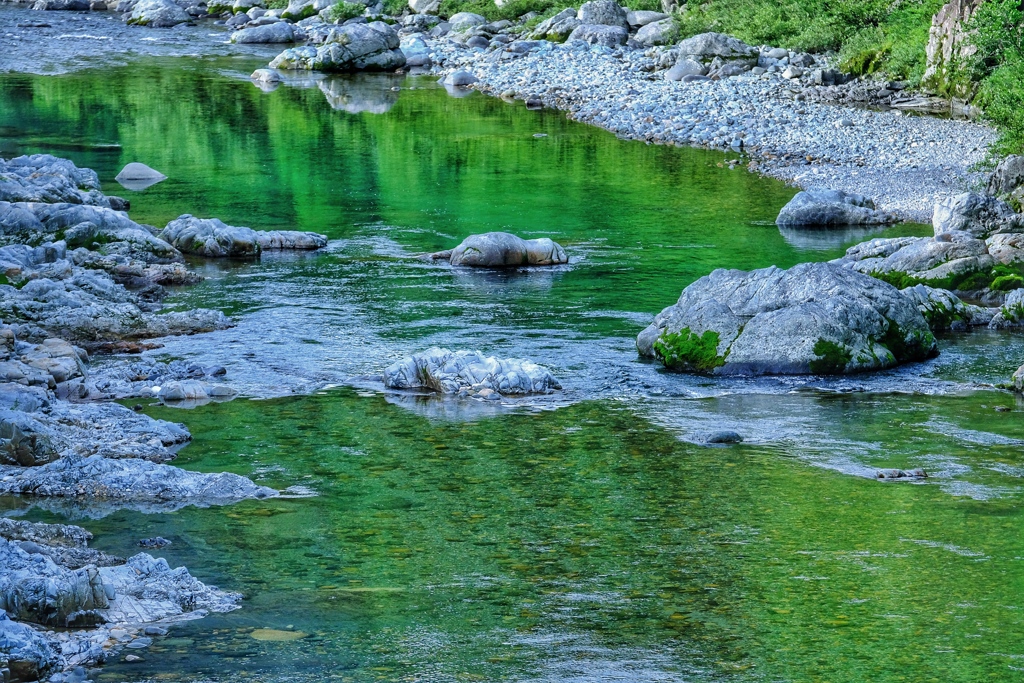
point(946, 262)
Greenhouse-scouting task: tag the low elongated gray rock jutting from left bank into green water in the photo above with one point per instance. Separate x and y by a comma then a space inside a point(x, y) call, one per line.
point(212, 238)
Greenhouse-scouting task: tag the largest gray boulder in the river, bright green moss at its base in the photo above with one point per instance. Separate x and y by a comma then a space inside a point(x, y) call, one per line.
point(813, 319)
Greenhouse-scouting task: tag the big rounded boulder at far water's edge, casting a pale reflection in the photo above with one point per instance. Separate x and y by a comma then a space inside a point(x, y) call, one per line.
point(373, 47)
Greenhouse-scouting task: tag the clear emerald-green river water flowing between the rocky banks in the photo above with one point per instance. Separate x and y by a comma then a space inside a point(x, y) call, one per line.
point(583, 537)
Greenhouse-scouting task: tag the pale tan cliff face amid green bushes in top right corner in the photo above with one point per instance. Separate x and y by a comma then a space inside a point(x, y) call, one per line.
point(948, 47)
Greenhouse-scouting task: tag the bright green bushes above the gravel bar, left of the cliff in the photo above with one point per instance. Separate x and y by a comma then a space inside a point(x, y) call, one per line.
point(870, 35)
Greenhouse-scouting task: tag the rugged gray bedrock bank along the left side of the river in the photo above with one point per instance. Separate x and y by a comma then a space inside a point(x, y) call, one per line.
point(78, 275)
